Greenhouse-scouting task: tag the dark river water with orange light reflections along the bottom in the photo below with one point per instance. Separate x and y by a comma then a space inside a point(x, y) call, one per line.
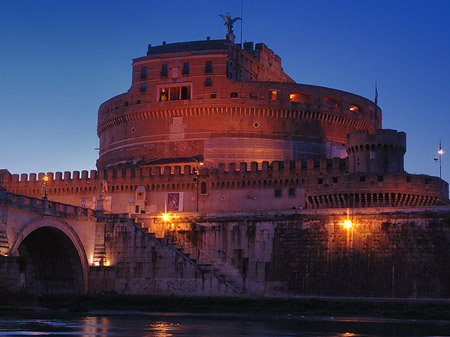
point(175, 325)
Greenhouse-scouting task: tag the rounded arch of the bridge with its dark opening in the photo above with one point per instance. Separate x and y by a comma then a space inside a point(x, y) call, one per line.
point(54, 257)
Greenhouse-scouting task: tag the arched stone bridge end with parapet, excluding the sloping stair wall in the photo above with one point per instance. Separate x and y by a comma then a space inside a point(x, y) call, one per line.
point(53, 244)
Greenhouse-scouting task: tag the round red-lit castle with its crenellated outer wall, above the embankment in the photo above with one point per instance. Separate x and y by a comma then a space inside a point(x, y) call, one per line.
point(209, 126)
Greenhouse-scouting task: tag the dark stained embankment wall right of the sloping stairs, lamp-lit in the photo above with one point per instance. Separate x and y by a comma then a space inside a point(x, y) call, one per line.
point(384, 255)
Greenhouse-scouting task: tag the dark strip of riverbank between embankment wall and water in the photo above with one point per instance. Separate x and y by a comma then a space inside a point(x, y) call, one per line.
point(404, 309)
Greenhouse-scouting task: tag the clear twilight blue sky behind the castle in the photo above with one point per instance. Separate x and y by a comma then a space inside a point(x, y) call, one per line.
point(59, 60)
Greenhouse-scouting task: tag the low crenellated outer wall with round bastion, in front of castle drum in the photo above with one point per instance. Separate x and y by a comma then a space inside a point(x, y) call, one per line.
point(282, 185)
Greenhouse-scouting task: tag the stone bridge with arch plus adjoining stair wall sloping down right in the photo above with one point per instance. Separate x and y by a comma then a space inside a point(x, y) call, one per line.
point(48, 247)
